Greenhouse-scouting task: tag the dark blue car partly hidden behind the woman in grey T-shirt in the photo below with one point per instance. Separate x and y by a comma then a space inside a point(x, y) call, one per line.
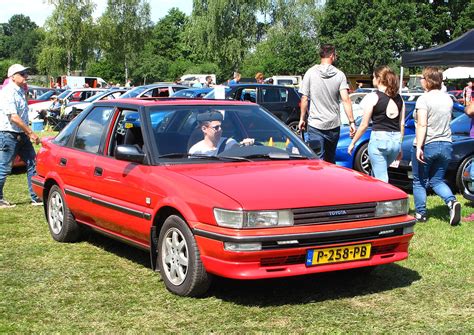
point(457, 173)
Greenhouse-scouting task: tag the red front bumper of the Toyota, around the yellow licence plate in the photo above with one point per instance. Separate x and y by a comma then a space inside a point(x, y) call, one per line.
point(283, 260)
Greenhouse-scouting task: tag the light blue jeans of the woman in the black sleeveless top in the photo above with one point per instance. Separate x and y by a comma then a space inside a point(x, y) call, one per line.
point(384, 147)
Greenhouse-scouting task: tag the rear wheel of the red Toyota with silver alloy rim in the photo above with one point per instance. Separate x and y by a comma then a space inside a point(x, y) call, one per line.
point(62, 225)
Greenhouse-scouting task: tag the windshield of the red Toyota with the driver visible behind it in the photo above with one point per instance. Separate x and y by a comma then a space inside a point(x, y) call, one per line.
point(243, 133)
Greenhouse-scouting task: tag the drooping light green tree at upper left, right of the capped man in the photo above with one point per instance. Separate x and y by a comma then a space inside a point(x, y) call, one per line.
point(69, 38)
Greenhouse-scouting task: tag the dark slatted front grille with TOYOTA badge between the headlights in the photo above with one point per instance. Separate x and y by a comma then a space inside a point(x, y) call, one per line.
point(333, 214)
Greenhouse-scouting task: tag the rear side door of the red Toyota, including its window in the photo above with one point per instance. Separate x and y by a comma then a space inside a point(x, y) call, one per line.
point(76, 162)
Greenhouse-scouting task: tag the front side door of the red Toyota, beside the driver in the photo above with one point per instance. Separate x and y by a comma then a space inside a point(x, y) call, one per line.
point(121, 186)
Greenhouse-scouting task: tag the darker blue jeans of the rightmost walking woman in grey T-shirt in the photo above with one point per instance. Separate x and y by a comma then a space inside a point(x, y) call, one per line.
point(431, 174)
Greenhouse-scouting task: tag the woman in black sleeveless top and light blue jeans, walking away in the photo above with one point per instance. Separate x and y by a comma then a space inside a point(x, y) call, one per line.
point(386, 109)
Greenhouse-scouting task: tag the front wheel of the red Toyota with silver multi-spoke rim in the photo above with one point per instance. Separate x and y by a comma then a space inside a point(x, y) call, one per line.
point(179, 260)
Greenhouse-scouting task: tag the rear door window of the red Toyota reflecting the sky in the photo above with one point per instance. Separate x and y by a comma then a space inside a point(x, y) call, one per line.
point(91, 129)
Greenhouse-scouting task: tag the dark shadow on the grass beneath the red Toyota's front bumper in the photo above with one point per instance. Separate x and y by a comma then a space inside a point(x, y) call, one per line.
point(313, 288)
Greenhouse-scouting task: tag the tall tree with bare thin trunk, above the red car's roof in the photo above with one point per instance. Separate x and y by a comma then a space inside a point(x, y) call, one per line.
point(124, 28)
